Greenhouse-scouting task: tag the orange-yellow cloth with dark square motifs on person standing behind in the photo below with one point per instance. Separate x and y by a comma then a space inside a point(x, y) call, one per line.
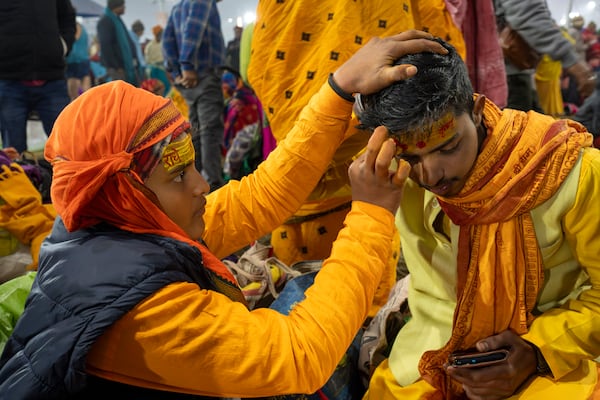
point(295, 46)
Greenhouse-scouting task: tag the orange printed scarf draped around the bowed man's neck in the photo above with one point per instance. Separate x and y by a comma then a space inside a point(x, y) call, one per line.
point(524, 160)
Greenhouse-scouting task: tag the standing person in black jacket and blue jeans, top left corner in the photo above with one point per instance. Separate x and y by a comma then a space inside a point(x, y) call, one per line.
point(32, 65)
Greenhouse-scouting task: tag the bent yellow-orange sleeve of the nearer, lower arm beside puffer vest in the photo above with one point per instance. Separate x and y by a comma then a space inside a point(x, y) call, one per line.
point(187, 339)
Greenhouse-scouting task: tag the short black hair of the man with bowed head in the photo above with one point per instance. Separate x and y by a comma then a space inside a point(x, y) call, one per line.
point(410, 106)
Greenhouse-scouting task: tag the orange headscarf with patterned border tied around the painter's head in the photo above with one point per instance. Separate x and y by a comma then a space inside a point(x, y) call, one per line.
point(91, 148)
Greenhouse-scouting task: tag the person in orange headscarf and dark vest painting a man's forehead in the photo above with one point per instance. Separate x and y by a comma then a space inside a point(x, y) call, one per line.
point(131, 298)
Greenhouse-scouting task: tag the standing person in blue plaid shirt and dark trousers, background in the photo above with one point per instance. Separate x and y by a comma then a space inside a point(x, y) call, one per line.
point(194, 51)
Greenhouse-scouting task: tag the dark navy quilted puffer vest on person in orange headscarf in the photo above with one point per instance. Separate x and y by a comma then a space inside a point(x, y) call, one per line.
point(86, 281)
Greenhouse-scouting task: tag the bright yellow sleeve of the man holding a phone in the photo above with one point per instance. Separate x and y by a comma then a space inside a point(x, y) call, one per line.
point(569, 334)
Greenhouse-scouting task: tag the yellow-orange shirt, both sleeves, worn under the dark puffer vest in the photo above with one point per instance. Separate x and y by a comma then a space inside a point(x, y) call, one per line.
point(187, 339)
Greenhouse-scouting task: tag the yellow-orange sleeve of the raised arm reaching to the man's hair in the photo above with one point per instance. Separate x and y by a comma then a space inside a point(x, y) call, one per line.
point(244, 210)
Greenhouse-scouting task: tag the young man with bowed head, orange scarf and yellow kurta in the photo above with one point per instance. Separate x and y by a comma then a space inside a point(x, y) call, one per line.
point(500, 230)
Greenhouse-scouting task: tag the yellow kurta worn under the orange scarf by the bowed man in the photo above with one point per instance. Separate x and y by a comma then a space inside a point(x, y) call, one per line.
point(568, 232)
